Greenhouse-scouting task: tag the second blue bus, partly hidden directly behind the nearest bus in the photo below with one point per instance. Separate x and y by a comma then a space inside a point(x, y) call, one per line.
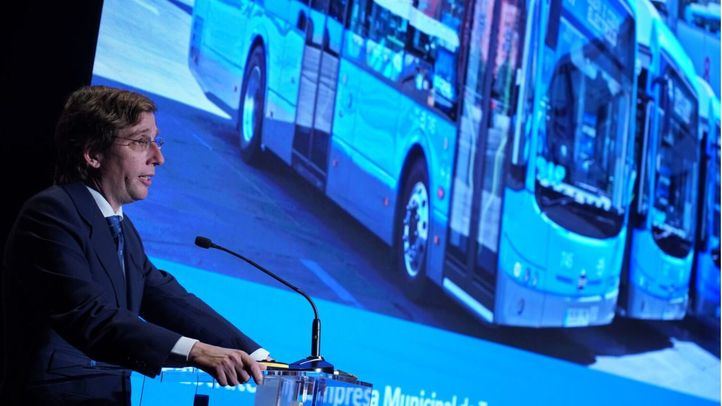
point(659, 256)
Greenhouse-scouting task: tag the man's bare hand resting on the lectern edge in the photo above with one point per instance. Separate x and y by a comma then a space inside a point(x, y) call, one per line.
point(229, 367)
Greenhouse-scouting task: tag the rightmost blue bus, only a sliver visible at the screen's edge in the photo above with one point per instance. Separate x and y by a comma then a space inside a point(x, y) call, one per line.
point(706, 275)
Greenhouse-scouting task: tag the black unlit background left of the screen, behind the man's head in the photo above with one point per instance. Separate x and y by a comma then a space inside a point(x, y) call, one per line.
point(47, 52)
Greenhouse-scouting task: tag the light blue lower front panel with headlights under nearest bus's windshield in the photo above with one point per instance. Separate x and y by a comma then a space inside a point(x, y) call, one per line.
point(573, 284)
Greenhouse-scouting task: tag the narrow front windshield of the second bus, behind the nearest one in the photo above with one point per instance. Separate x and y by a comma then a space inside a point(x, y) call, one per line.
point(673, 214)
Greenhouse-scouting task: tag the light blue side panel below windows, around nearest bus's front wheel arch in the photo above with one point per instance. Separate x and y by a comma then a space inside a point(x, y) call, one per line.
point(379, 130)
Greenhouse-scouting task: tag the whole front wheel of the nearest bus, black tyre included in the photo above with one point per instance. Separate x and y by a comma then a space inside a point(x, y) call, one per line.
point(413, 231)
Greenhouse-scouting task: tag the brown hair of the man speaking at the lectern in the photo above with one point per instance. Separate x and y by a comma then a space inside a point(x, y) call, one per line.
point(90, 122)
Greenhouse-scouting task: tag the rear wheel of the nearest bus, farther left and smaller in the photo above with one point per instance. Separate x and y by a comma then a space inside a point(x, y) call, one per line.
point(250, 115)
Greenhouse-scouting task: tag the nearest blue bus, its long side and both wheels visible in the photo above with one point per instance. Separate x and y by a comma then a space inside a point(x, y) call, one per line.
point(488, 142)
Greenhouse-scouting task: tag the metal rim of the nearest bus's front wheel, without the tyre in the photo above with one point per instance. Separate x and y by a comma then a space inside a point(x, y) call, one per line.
point(416, 229)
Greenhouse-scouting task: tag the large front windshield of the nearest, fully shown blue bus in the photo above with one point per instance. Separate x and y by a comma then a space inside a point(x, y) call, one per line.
point(582, 151)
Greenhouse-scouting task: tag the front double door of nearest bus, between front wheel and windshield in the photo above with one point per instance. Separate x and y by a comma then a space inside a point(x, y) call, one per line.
point(490, 94)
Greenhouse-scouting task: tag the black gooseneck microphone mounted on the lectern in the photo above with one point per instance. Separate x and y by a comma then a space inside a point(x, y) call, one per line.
point(315, 361)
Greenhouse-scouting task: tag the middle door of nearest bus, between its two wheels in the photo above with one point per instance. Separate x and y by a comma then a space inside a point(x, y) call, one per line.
point(321, 20)
